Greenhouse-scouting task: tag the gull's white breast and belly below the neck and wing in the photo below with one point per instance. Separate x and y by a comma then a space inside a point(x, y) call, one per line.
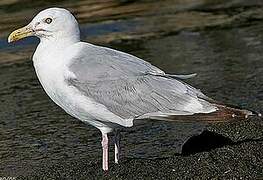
point(52, 72)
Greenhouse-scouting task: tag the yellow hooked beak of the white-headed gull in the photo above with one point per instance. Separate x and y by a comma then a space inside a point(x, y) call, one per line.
point(20, 33)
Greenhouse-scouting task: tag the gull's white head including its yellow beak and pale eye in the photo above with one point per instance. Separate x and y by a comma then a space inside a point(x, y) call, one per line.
point(50, 24)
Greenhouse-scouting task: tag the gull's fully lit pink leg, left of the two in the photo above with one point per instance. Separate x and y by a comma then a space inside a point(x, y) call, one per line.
point(105, 155)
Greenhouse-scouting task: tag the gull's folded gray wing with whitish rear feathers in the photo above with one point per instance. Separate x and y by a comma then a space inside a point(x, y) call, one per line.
point(132, 88)
